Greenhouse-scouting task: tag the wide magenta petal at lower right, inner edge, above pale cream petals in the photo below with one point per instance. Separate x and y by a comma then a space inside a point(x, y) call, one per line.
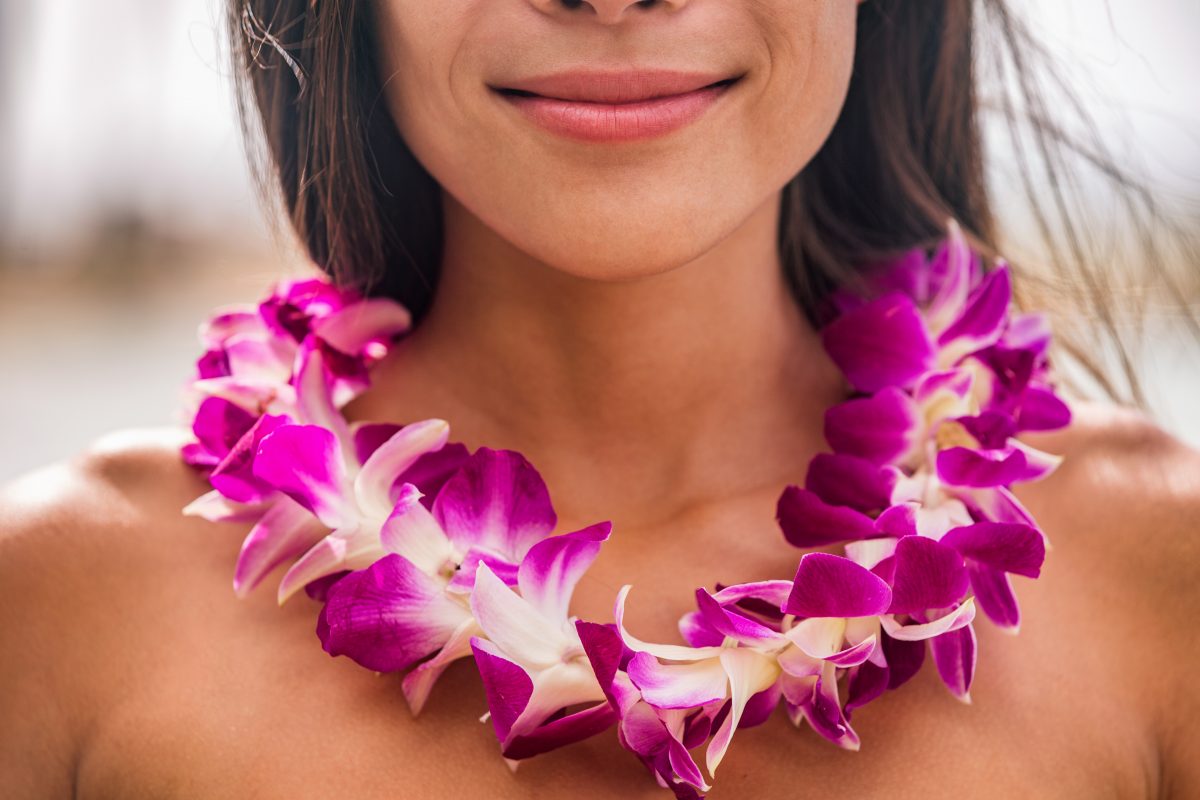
point(832, 586)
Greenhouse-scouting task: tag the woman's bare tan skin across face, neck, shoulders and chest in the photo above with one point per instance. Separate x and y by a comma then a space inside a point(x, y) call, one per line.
point(674, 389)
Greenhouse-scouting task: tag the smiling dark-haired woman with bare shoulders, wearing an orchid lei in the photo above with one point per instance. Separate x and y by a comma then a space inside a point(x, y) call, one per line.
point(631, 298)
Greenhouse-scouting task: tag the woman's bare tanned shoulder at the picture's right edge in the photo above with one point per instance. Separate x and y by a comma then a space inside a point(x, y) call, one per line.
point(1126, 506)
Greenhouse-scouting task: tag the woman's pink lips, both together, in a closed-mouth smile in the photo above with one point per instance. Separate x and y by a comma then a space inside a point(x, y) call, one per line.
point(616, 106)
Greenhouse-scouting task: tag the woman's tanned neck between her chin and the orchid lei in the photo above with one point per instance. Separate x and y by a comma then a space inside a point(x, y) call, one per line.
point(653, 394)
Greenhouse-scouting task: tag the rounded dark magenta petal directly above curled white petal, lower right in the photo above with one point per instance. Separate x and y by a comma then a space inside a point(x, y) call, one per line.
point(928, 575)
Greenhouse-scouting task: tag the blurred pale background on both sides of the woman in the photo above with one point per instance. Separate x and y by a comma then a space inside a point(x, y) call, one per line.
point(127, 209)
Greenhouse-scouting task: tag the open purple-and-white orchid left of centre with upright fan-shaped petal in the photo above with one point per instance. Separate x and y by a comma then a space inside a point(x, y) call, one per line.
point(416, 600)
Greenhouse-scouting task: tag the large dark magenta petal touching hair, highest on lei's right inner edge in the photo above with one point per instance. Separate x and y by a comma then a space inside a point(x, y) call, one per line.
point(883, 344)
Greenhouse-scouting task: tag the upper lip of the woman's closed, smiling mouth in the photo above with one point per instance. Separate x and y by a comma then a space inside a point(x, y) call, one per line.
point(616, 87)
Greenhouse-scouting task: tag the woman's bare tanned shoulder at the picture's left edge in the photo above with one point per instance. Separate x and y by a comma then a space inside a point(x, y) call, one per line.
point(79, 542)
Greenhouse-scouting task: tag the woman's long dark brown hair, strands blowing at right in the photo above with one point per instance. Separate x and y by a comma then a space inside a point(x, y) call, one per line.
point(907, 154)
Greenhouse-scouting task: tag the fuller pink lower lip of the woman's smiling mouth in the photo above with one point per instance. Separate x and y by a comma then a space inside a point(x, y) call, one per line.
point(617, 122)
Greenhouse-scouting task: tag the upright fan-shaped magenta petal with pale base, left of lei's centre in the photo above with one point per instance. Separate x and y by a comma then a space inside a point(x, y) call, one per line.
point(499, 501)
